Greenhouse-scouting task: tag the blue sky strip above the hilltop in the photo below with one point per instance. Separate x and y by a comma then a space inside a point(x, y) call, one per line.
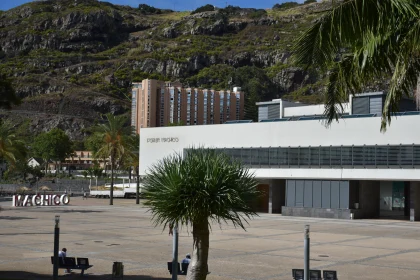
point(178, 5)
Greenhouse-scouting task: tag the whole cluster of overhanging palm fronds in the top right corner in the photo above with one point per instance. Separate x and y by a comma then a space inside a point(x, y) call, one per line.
point(360, 42)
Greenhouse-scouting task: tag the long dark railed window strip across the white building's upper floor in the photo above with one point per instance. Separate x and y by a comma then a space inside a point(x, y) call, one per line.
point(375, 156)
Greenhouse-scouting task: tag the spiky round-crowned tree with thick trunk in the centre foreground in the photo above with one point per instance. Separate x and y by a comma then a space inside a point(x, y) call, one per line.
point(195, 190)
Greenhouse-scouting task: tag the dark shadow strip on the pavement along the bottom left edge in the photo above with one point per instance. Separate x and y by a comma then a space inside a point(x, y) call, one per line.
point(24, 275)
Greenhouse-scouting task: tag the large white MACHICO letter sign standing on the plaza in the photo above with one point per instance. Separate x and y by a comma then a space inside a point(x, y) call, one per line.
point(40, 200)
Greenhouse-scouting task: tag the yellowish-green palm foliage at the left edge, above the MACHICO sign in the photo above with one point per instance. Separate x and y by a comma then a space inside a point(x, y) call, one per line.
point(11, 148)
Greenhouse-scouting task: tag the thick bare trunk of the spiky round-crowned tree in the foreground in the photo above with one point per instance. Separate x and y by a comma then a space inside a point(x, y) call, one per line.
point(198, 268)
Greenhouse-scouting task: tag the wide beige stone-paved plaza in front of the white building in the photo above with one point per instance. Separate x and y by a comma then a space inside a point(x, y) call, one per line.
point(269, 249)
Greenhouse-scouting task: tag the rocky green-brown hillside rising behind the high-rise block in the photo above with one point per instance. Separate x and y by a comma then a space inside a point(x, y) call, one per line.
point(73, 60)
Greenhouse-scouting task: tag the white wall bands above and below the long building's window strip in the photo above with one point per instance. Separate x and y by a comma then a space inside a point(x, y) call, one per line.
point(360, 131)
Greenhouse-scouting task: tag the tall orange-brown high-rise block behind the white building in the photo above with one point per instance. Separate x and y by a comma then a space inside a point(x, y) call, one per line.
point(157, 103)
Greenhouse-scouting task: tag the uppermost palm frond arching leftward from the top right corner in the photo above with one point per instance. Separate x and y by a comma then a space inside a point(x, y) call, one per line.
point(346, 26)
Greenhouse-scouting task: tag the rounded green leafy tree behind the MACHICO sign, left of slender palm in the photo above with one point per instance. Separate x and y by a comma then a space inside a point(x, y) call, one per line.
point(54, 145)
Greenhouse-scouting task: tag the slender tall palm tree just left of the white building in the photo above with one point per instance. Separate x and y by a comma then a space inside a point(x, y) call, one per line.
point(114, 145)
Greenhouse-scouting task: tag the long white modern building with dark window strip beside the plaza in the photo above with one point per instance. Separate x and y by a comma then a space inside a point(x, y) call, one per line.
point(348, 170)
